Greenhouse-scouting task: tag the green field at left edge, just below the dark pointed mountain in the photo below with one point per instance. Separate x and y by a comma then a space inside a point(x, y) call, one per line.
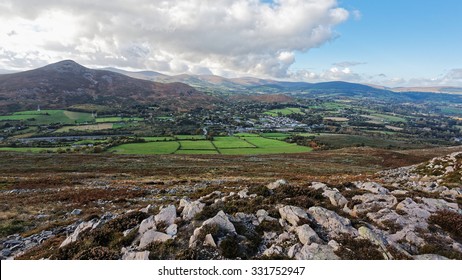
point(45, 117)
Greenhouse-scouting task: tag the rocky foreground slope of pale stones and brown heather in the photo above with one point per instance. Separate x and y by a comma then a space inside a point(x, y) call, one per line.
point(406, 213)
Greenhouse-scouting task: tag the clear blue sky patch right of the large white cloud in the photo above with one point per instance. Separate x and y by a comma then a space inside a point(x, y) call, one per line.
point(406, 39)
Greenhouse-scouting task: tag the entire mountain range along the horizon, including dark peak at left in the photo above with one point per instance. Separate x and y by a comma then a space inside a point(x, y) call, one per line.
point(67, 84)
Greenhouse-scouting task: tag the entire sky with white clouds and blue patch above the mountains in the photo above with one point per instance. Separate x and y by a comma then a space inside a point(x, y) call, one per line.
point(385, 42)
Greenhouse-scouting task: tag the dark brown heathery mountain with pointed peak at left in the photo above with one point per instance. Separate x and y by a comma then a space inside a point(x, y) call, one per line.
point(67, 83)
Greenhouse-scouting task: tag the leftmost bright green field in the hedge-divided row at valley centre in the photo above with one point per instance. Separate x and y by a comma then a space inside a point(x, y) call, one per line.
point(151, 148)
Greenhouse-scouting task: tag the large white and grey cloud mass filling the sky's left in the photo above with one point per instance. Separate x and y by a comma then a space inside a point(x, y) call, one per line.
point(240, 37)
